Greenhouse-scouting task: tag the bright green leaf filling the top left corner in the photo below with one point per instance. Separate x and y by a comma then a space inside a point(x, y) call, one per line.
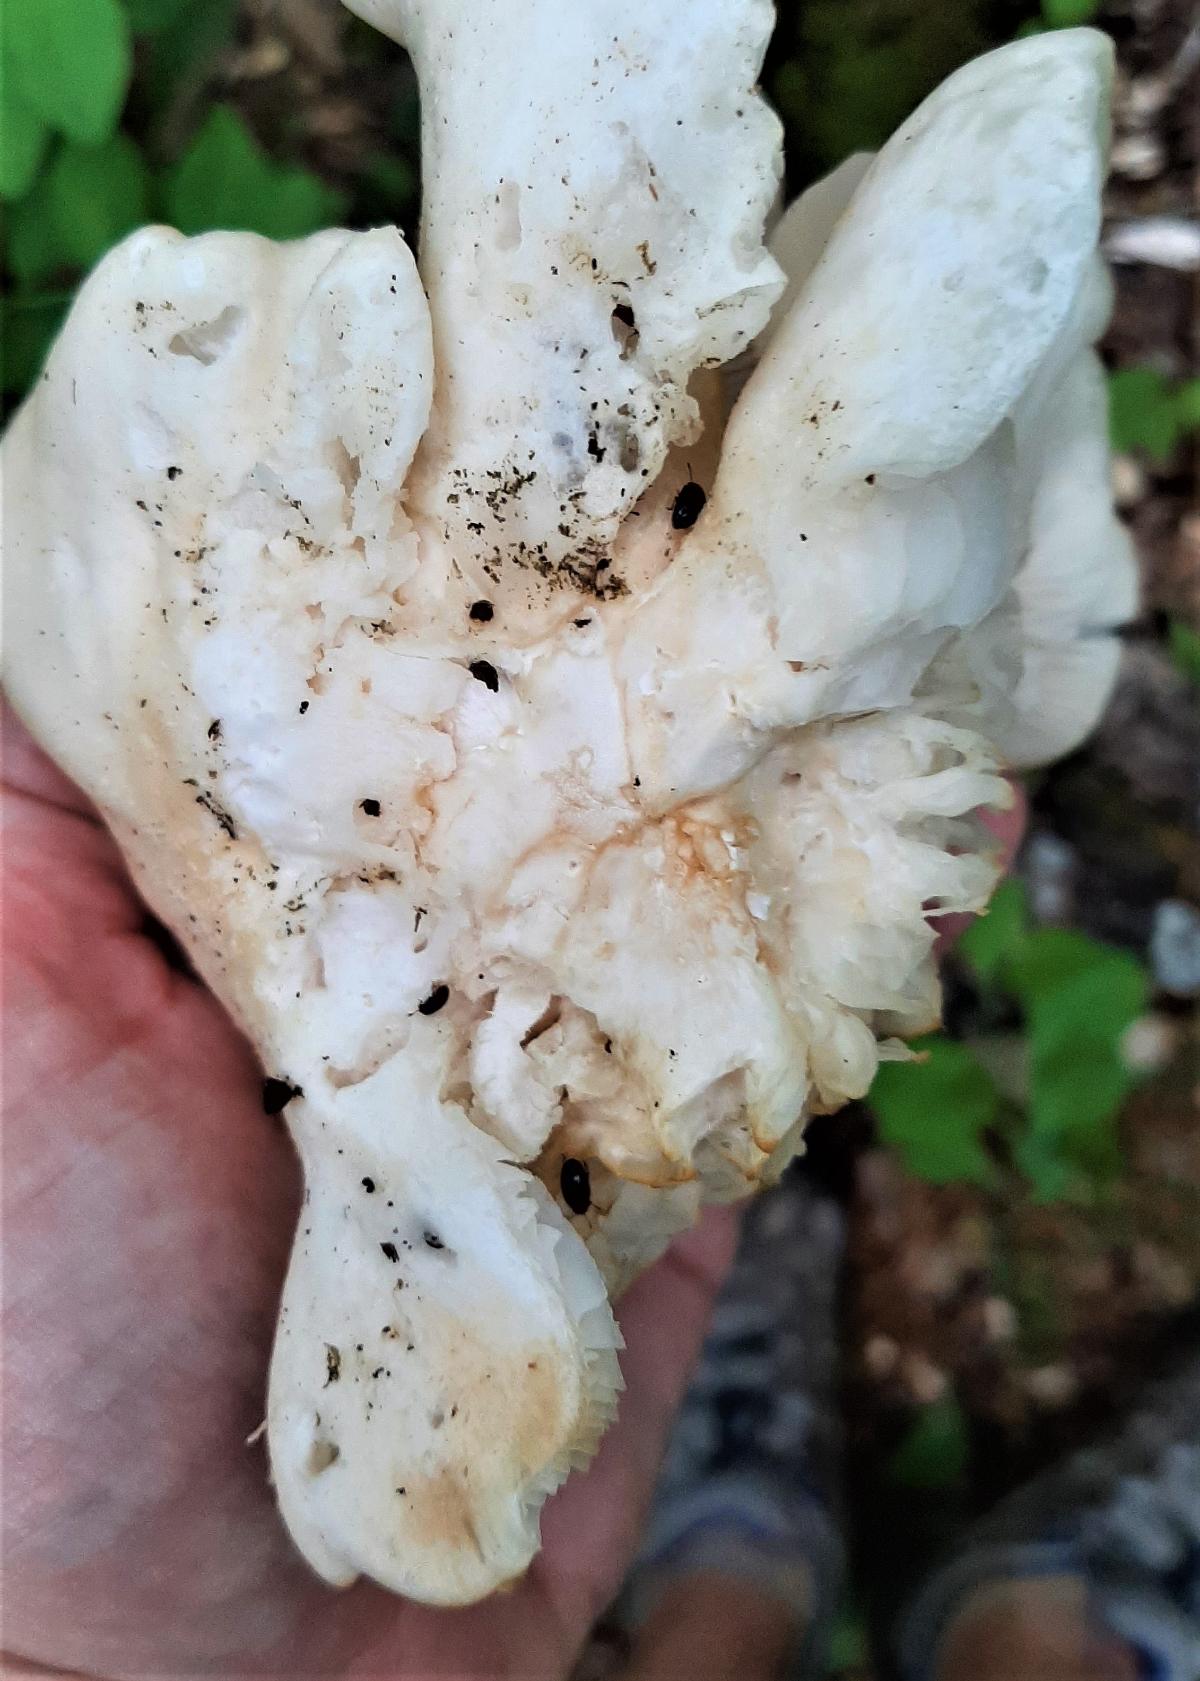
point(70, 61)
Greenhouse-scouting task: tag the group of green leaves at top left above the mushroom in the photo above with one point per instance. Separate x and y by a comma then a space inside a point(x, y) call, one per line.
point(76, 182)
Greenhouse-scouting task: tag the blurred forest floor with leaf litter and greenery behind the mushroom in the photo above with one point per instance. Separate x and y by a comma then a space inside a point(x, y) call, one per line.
point(1024, 1206)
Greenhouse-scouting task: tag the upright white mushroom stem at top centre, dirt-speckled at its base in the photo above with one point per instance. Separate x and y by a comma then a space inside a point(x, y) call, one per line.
point(594, 199)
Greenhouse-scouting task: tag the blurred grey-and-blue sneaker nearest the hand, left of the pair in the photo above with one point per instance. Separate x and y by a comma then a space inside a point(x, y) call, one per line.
point(750, 1482)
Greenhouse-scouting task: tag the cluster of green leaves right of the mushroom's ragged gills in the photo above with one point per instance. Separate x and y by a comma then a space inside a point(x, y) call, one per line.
point(1078, 999)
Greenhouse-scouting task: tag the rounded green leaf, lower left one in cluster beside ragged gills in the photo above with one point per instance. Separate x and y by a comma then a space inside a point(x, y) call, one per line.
point(935, 1114)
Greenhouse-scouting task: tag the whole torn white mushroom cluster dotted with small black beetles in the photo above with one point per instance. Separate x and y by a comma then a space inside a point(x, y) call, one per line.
point(517, 819)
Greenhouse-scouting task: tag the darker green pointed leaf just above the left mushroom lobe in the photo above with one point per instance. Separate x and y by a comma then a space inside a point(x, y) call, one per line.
point(226, 181)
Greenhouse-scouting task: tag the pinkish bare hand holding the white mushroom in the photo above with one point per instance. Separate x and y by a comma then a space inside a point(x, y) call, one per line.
point(149, 1209)
